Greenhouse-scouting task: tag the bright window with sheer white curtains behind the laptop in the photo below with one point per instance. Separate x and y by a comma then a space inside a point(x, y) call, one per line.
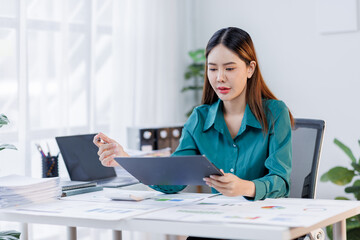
point(59, 55)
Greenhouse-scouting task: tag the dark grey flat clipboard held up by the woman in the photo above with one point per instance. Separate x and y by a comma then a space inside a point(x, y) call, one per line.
point(174, 170)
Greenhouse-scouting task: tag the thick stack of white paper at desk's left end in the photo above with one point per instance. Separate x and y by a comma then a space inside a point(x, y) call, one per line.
point(18, 190)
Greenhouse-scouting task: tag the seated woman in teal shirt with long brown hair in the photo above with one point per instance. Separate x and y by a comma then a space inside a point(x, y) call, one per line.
point(241, 127)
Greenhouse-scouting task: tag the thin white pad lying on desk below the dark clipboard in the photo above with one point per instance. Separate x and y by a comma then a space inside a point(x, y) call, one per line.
point(130, 195)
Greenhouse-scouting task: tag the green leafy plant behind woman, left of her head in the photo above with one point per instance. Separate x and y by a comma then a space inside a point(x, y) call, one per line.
point(195, 71)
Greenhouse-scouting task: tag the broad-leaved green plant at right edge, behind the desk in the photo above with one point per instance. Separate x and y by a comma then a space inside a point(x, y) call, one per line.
point(348, 177)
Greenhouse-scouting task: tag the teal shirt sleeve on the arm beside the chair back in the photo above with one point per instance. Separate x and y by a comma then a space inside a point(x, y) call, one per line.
point(277, 182)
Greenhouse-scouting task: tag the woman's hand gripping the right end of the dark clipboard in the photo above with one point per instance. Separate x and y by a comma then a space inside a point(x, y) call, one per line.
point(230, 185)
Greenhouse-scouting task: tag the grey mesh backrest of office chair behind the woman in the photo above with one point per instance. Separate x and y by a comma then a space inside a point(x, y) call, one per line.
point(307, 137)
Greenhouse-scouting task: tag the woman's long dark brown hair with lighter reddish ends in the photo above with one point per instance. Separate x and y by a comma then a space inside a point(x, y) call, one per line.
point(240, 42)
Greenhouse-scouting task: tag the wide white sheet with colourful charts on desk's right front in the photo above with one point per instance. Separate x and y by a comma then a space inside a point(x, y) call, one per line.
point(280, 212)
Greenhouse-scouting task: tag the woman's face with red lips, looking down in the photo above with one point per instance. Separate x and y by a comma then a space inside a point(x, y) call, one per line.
point(228, 74)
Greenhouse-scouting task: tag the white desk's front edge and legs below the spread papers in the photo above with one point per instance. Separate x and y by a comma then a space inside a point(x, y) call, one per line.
point(217, 230)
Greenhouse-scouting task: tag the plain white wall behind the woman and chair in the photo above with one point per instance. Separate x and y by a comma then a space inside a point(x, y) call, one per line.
point(316, 74)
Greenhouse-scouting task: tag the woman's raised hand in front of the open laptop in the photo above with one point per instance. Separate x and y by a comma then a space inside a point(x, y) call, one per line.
point(108, 149)
